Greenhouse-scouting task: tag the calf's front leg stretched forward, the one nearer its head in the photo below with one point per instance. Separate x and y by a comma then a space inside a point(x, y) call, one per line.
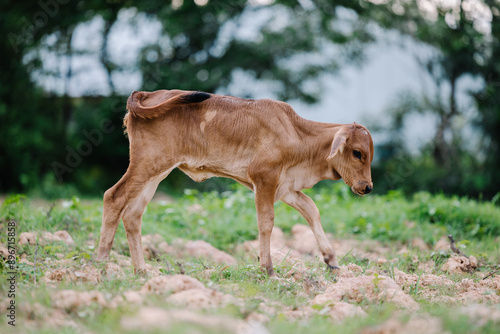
point(299, 201)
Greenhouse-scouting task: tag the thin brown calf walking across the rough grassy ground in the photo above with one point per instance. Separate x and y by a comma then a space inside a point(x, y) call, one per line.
point(262, 144)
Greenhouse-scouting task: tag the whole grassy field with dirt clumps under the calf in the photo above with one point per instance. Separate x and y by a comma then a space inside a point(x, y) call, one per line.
point(397, 267)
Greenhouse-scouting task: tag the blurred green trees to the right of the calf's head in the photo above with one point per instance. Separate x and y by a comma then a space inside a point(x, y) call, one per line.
point(466, 36)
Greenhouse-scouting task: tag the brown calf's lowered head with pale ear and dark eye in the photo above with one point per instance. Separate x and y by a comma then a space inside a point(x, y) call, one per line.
point(351, 155)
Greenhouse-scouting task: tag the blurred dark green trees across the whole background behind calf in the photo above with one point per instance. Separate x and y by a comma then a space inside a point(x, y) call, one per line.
point(285, 46)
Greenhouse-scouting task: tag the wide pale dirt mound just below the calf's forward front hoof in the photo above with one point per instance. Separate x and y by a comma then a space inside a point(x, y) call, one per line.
point(366, 288)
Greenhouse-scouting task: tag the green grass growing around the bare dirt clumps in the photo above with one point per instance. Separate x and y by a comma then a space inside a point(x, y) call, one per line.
point(228, 219)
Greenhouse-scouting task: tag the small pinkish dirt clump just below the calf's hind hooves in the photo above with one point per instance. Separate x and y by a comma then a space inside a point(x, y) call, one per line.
point(171, 284)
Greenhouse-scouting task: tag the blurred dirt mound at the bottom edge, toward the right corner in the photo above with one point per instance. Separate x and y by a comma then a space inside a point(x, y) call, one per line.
point(420, 324)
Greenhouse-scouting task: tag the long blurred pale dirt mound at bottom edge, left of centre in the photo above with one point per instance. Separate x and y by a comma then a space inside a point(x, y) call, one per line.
point(154, 318)
